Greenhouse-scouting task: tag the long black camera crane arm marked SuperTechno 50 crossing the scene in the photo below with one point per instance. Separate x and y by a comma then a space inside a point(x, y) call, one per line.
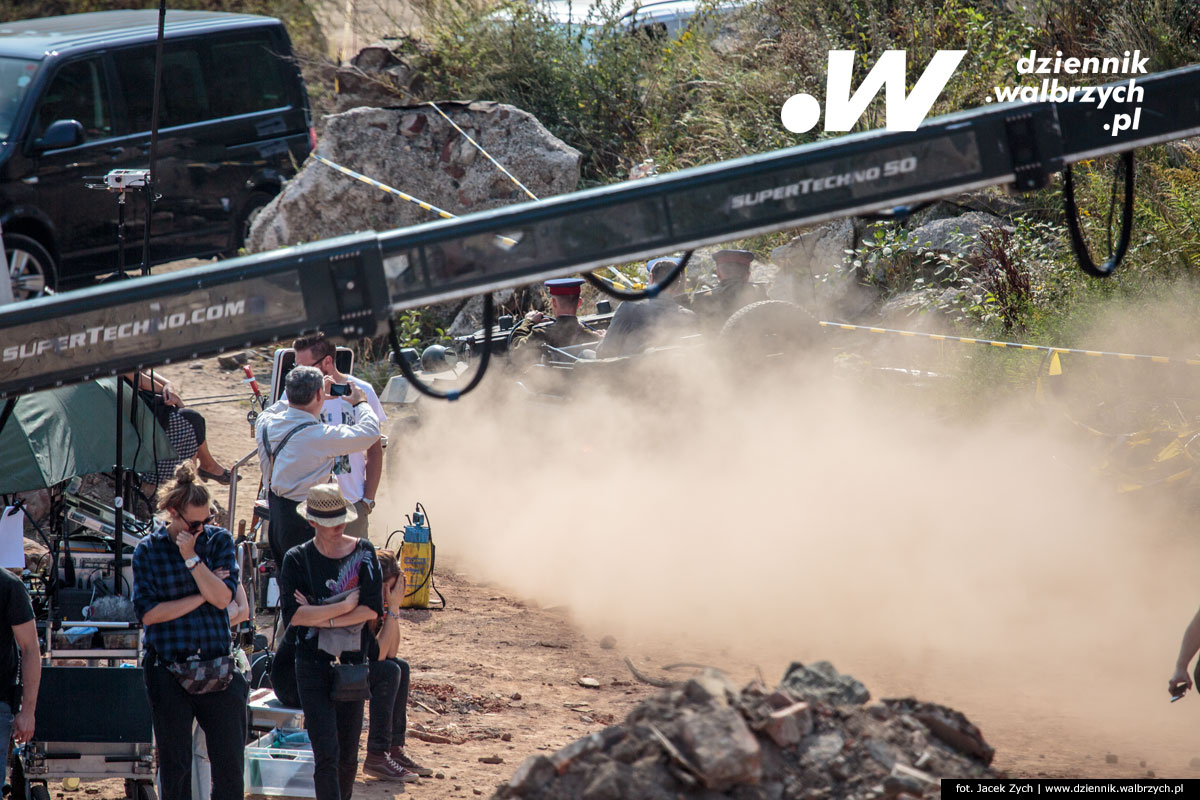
point(349, 286)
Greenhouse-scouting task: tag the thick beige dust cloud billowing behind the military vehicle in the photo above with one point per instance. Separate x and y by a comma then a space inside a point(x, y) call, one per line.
point(975, 558)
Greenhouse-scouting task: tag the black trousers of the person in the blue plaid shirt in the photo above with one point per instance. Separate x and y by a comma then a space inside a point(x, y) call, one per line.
point(223, 717)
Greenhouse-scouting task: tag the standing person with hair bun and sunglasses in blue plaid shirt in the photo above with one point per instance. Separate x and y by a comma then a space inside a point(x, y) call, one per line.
point(185, 575)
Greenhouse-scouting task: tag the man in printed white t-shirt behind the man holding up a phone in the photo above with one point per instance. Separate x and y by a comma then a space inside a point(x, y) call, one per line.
point(359, 473)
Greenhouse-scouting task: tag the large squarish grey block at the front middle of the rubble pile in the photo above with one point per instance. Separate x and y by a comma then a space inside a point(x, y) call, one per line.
point(723, 749)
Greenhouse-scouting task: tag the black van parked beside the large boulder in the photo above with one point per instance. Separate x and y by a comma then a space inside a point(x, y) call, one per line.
point(76, 97)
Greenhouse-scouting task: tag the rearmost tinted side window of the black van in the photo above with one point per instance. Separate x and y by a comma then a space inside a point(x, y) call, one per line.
point(256, 86)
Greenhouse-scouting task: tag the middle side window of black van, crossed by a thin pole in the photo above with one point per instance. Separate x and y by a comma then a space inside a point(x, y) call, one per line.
point(185, 97)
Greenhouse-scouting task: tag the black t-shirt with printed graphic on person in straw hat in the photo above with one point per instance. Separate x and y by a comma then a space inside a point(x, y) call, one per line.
point(319, 579)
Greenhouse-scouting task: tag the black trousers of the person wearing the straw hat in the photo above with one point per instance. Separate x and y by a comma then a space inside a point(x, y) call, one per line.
point(334, 730)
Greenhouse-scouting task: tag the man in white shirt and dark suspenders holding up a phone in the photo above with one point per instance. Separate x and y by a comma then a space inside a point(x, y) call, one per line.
point(297, 450)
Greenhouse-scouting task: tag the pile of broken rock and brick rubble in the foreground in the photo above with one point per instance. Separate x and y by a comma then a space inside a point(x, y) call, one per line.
point(813, 737)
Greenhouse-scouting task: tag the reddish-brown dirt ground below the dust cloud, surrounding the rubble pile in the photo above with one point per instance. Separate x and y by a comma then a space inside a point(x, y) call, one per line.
point(497, 675)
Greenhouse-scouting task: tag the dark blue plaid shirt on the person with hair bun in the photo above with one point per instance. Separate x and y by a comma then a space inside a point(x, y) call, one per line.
point(161, 576)
